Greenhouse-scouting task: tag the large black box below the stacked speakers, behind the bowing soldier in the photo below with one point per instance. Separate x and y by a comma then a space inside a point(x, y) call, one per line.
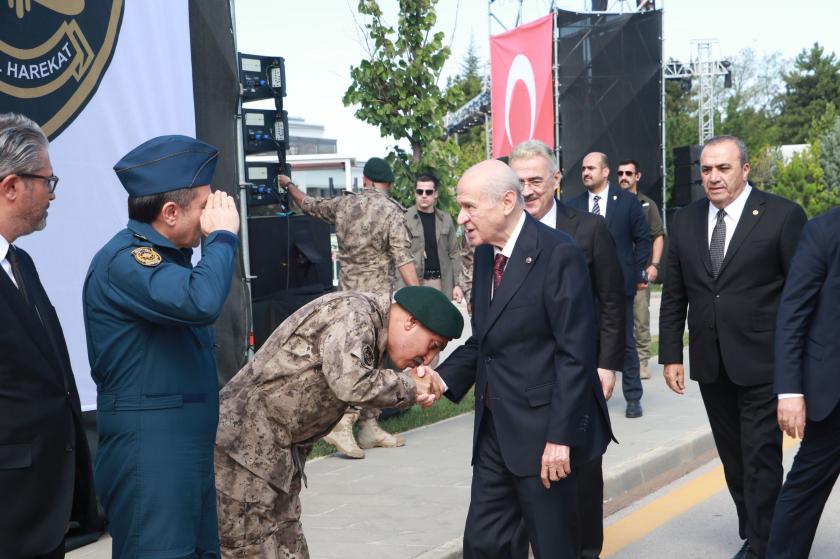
point(289, 252)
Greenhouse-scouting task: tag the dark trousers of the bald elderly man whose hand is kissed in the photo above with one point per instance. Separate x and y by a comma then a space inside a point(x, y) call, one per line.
point(500, 500)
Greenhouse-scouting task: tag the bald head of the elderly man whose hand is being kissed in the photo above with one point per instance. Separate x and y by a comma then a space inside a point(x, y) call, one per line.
point(491, 203)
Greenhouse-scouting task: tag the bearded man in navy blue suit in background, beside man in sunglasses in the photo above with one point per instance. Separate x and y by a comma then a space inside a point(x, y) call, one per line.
point(629, 229)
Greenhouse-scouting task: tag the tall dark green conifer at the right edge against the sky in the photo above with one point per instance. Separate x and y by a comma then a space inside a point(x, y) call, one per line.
point(810, 87)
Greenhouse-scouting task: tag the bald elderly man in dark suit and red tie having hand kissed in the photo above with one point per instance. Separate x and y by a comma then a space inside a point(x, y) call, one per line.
point(540, 410)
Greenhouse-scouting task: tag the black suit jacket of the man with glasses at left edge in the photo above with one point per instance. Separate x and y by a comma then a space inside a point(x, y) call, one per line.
point(45, 469)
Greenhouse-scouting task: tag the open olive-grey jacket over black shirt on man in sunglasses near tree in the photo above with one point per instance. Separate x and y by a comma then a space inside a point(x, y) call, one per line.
point(447, 245)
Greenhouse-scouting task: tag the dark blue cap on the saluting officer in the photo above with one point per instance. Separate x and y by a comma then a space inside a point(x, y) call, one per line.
point(167, 163)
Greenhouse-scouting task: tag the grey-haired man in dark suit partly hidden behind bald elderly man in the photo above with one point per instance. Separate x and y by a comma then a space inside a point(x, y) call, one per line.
point(539, 176)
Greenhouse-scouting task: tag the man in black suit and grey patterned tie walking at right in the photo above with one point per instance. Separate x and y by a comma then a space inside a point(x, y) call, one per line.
point(727, 261)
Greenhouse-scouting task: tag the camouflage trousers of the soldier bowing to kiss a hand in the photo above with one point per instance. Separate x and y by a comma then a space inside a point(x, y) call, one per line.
point(257, 521)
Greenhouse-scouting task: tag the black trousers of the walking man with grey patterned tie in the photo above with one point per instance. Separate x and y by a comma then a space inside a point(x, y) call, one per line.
point(749, 442)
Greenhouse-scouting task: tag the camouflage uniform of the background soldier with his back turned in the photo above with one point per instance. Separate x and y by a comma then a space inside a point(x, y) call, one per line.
point(373, 241)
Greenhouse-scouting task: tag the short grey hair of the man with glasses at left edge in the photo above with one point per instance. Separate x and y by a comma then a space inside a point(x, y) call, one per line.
point(22, 145)
